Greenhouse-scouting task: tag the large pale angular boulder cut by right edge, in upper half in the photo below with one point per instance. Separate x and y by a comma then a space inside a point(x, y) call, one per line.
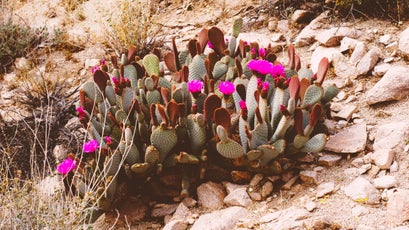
point(394, 85)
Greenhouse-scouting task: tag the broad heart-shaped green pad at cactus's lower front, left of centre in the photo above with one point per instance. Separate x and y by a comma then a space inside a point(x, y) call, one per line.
point(164, 140)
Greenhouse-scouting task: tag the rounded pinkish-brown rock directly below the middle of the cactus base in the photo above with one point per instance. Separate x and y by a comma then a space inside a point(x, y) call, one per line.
point(211, 195)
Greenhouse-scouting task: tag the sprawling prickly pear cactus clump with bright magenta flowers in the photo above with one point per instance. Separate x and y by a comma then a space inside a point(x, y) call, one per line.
point(220, 101)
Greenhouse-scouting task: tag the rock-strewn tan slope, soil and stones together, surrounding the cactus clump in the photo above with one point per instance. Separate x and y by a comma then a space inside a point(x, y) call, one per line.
point(358, 182)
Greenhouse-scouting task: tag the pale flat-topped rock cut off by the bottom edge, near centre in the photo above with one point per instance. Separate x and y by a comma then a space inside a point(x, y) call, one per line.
point(221, 219)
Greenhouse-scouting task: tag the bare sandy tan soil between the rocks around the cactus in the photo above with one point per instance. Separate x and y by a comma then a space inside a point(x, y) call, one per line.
point(185, 20)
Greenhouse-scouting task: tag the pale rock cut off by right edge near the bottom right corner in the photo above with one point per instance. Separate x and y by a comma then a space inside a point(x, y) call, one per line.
point(397, 208)
